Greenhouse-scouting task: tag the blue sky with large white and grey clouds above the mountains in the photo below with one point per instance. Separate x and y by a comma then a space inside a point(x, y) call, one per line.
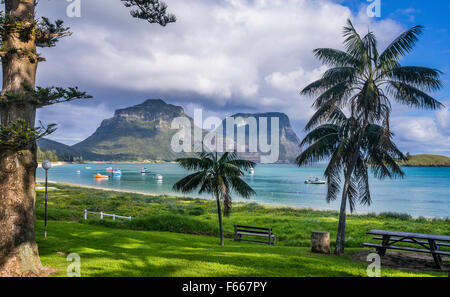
point(231, 56)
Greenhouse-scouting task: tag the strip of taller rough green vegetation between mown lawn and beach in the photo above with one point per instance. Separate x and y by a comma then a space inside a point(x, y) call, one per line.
point(292, 226)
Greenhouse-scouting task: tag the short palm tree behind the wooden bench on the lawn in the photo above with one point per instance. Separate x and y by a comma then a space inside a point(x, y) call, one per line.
point(217, 176)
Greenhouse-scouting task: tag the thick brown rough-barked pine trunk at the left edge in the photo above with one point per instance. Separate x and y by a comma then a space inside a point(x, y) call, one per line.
point(18, 248)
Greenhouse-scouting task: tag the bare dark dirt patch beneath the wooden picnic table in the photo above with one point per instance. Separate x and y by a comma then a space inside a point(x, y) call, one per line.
point(403, 260)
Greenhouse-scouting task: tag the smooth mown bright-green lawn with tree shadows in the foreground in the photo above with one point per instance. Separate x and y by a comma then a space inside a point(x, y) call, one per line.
point(117, 252)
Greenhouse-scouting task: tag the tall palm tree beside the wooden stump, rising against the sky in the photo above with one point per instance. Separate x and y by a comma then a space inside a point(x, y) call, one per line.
point(362, 81)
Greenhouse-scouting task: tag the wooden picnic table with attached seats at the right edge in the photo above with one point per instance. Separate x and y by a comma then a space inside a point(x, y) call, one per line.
point(430, 243)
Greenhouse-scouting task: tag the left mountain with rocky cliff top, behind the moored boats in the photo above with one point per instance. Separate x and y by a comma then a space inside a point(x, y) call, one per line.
point(137, 133)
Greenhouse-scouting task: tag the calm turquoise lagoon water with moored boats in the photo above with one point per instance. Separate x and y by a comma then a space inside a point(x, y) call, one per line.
point(425, 191)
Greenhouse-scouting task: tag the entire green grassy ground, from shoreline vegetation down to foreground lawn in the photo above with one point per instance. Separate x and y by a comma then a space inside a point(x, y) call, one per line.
point(170, 236)
